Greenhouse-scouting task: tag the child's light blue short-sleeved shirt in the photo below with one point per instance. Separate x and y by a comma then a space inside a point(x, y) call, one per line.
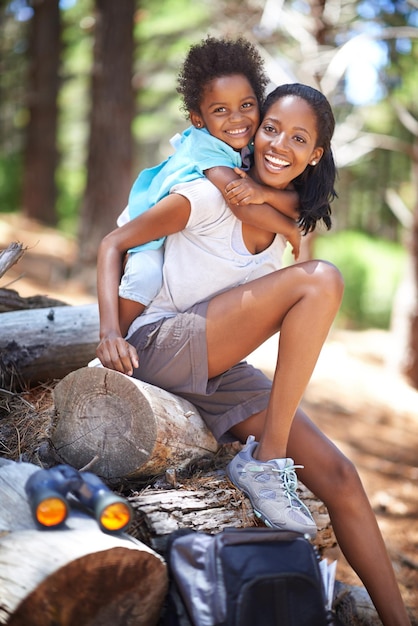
point(197, 150)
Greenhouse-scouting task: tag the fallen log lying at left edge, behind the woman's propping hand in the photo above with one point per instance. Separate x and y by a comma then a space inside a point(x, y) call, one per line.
point(39, 345)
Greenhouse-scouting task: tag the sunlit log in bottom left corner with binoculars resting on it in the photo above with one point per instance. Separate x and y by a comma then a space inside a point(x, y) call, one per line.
point(74, 575)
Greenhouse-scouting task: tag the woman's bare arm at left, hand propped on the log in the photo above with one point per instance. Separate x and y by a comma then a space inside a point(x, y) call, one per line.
point(168, 216)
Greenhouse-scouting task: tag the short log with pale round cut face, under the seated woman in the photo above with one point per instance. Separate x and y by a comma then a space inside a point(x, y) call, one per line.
point(123, 428)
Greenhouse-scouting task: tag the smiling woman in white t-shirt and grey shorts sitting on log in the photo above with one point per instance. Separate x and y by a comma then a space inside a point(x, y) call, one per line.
point(223, 295)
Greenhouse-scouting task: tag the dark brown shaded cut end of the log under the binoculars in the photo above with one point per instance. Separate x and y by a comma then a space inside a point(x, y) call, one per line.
point(117, 586)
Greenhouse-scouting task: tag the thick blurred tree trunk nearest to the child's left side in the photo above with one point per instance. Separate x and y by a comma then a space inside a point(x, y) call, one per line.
point(109, 168)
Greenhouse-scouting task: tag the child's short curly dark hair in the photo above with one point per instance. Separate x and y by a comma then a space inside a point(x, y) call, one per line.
point(214, 58)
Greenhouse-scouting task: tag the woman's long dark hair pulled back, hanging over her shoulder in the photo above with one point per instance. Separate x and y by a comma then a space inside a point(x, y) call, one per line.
point(315, 185)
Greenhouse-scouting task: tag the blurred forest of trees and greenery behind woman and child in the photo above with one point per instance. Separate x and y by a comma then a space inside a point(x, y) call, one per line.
point(88, 98)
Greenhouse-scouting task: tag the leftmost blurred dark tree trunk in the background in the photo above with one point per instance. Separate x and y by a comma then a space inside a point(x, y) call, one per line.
point(39, 190)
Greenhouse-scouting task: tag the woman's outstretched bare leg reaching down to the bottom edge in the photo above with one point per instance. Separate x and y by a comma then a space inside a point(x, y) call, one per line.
point(334, 479)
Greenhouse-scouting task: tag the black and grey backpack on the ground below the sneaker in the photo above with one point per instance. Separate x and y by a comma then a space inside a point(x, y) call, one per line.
point(244, 577)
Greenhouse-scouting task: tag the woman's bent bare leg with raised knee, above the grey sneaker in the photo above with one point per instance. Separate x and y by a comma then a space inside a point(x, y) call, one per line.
point(301, 301)
